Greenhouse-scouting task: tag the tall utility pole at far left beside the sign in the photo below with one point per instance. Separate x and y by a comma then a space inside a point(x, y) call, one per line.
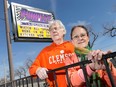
point(9, 49)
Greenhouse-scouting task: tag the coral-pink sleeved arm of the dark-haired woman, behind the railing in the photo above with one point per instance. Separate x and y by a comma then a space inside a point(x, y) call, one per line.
point(76, 73)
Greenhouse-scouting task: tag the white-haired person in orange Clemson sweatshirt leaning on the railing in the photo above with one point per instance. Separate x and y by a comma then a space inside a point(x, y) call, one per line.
point(53, 56)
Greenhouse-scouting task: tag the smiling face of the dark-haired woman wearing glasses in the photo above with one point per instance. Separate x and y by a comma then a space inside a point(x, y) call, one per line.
point(80, 37)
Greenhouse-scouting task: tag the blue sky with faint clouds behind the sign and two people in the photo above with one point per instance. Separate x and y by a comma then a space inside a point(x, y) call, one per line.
point(71, 12)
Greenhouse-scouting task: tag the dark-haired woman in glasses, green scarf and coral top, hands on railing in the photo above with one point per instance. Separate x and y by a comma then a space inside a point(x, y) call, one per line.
point(95, 70)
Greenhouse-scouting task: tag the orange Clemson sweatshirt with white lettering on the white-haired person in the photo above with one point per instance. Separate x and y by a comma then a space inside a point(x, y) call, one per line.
point(52, 57)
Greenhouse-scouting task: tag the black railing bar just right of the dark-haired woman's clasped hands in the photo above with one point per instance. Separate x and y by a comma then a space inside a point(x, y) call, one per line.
point(108, 72)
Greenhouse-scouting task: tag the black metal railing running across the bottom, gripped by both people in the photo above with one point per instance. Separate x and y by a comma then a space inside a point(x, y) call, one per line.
point(34, 81)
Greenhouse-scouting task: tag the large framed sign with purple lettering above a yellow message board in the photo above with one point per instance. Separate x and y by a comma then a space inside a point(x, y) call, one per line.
point(30, 24)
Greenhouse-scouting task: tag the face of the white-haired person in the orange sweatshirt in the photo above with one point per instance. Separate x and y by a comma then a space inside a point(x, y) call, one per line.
point(56, 32)
